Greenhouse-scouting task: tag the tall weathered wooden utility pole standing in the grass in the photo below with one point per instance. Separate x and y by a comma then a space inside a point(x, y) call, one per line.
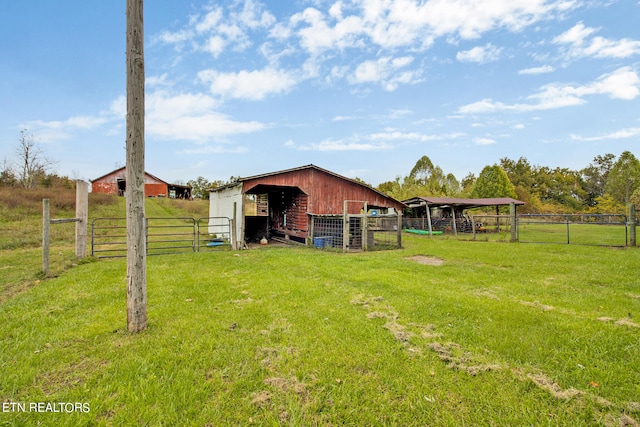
point(136, 241)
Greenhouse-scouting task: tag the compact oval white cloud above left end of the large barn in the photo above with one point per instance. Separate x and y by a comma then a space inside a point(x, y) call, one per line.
point(251, 85)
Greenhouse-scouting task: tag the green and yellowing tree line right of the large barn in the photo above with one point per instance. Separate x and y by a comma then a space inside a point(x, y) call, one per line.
point(607, 185)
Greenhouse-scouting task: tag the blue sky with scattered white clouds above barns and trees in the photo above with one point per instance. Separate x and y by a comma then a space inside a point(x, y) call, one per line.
point(363, 88)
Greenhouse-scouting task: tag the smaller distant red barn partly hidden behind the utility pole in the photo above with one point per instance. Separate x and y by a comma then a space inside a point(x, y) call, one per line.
point(115, 182)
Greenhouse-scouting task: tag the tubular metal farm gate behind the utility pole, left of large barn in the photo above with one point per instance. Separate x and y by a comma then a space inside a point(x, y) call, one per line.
point(163, 235)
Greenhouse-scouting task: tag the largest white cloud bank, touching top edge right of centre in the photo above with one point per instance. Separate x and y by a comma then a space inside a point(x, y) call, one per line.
point(392, 24)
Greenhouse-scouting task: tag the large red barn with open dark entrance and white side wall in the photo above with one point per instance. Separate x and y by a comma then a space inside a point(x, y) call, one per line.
point(282, 203)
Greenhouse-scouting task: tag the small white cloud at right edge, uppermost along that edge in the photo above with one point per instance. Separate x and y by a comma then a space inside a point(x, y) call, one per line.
point(580, 44)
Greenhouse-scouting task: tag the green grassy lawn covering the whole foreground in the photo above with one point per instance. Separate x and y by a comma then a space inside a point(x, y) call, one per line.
point(442, 332)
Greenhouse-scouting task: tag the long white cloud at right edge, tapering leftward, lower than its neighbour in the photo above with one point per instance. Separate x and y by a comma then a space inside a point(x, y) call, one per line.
point(623, 83)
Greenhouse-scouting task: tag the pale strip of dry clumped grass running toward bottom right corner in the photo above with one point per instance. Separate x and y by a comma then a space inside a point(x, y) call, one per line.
point(411, 335)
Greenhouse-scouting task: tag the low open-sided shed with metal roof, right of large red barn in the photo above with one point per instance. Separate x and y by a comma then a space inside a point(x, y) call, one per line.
point(422, 207)
